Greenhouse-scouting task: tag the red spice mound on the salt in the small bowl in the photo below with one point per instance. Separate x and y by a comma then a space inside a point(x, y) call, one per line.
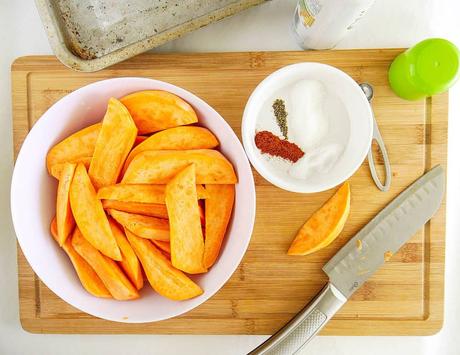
point(268, 143)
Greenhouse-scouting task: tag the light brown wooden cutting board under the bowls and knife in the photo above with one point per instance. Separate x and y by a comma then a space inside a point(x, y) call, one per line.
point(404, 297)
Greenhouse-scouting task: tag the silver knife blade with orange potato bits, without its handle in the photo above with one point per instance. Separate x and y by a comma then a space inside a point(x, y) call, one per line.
point(386, 233)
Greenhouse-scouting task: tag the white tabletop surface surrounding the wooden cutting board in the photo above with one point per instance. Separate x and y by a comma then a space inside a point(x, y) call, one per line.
point(390, 23)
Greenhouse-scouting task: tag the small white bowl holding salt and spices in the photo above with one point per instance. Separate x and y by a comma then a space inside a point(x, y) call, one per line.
point(356, 107)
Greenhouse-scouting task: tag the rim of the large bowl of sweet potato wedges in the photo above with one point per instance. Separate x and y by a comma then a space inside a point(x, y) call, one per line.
point(251, 208)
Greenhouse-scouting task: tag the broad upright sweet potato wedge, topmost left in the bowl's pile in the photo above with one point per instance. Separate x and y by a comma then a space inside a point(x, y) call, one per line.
point(116, 138)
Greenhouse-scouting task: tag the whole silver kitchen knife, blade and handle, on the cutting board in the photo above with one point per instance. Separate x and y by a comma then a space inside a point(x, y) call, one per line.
point(357, 261)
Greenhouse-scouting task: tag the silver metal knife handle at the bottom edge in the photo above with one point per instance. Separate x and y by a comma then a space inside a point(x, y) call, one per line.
point(305, 325)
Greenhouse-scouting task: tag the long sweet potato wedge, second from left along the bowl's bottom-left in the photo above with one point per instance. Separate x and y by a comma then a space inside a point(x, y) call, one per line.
point(108, 271)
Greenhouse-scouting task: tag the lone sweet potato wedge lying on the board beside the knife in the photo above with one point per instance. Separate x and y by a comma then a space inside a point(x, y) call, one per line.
point(324, 225)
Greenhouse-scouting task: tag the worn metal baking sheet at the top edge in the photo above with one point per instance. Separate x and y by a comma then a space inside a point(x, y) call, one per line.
point(89, 35)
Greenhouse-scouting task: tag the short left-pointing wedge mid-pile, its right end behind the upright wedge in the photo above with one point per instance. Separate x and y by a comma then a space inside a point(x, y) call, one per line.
point(143, 226)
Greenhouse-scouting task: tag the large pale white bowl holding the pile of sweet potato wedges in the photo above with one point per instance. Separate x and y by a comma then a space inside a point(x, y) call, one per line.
point(33, 194)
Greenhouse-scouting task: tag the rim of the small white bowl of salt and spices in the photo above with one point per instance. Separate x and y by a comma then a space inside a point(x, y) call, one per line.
point(247, 133)
